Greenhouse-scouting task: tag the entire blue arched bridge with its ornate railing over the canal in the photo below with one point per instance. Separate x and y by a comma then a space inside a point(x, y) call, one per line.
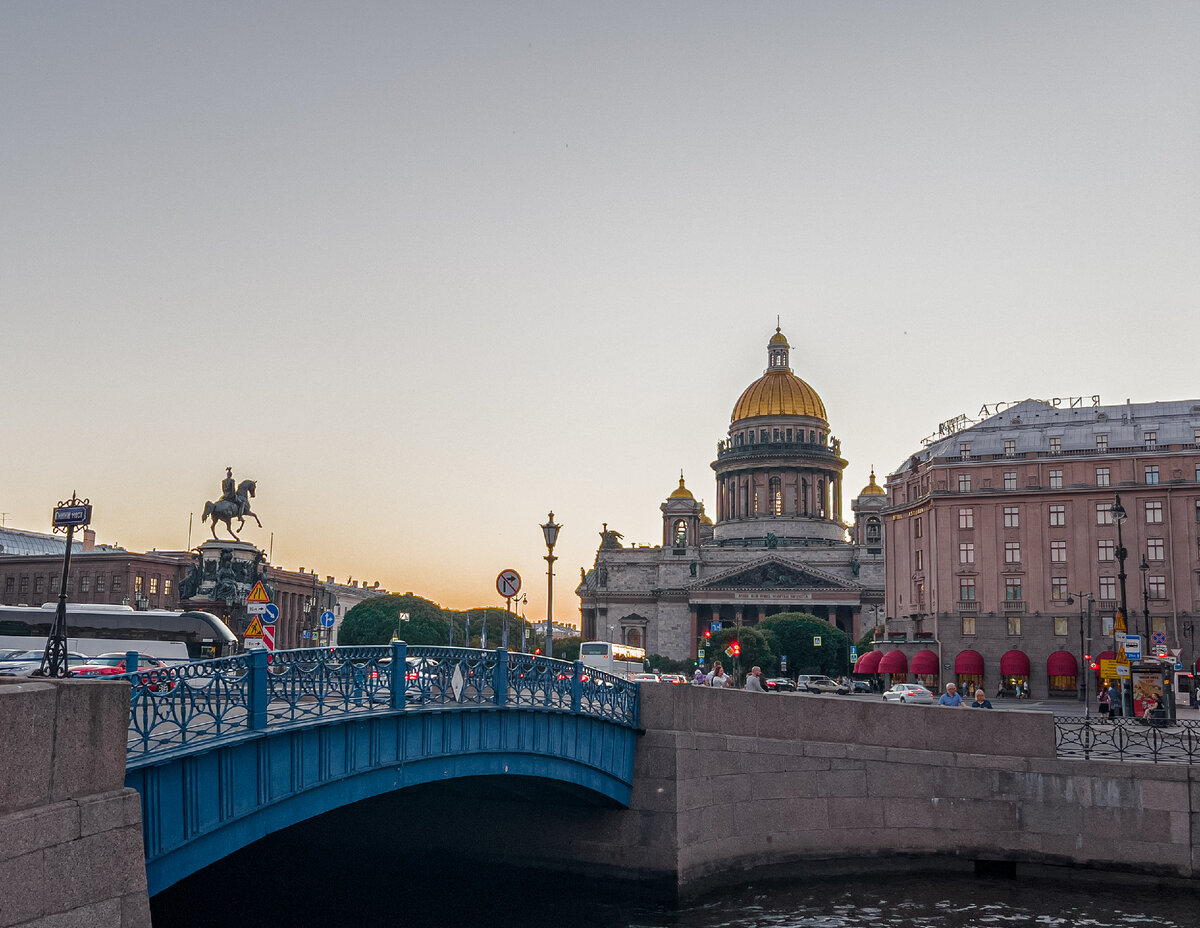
point(227, 752)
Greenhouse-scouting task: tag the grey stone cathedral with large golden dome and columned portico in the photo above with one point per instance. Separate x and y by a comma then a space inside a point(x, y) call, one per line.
point(779, 543)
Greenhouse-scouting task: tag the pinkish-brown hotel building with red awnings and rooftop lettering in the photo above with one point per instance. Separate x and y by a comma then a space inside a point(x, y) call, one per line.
point(1005, 535)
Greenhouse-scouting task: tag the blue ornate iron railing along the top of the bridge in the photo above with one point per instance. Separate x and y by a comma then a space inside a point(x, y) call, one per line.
point(175, 710)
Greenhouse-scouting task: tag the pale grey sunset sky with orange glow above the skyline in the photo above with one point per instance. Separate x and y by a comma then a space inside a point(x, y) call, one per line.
point(428, 272)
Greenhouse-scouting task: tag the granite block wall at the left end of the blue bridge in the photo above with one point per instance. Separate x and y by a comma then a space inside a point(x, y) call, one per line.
point(70, 831)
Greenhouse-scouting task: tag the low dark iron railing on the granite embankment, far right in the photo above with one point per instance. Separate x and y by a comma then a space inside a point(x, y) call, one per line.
point(1155, 741)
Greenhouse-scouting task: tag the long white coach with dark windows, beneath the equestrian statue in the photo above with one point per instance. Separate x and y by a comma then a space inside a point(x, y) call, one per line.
point(99, 628)
